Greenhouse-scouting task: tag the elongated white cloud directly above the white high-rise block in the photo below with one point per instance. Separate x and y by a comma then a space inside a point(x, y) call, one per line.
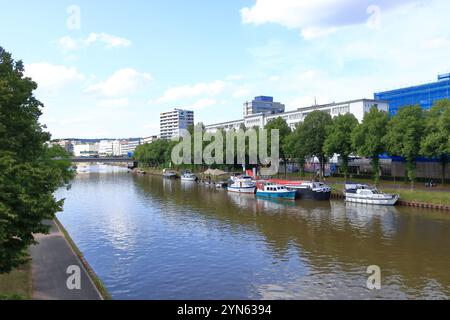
point(191, 91)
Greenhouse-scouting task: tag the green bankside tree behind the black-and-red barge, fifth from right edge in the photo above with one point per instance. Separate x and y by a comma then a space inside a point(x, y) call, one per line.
point(312, 135)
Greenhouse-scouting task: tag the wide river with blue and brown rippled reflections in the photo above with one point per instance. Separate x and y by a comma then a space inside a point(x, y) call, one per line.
point(149, 238)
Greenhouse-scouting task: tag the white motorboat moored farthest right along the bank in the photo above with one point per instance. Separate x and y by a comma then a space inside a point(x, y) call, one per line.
point(359, 193)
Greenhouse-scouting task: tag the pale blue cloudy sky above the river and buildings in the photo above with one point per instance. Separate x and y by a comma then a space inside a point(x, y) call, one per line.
point(107, 68)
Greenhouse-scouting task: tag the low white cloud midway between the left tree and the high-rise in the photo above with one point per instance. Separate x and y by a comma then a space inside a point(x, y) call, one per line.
point(122, 82)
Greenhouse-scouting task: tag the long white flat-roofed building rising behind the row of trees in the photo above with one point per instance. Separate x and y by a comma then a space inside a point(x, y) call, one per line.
point(356, 107)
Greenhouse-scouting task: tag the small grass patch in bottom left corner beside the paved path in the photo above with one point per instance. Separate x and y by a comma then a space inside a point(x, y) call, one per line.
point(17, 284)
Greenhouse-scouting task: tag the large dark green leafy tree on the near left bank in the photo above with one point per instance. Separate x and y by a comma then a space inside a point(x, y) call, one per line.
point(30, 170)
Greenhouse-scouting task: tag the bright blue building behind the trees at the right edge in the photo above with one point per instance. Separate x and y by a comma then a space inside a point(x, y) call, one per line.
point(424, 95)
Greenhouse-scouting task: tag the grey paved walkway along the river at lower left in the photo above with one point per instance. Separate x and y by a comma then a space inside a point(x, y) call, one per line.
point(51, 258)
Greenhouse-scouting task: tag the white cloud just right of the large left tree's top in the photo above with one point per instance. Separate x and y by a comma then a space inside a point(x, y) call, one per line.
point(50, 76)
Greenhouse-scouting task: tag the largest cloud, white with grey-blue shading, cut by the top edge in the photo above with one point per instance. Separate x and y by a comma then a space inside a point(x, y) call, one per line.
point(315, 18)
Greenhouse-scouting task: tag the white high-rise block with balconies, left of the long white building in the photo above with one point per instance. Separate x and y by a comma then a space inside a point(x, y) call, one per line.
point(172, 122)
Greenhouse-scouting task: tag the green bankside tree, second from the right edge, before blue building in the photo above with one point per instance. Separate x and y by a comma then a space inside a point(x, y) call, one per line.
point(403, 137)
